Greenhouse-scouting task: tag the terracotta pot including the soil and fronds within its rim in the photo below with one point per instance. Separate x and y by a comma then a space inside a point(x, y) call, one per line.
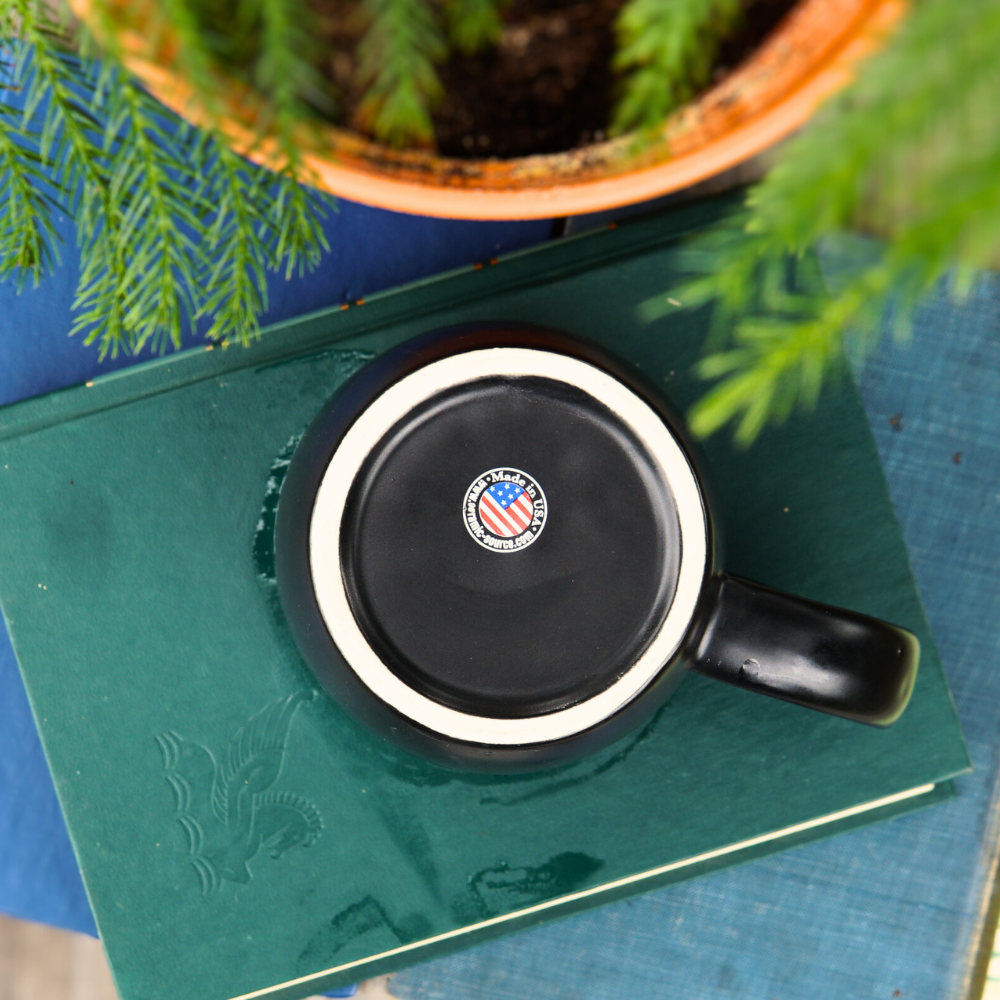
point(630, 119)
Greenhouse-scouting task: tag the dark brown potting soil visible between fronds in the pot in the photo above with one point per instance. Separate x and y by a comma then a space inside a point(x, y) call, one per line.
point(548, 84)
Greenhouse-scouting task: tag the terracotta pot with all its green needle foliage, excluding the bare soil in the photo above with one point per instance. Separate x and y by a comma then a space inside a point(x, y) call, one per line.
point(175, 223)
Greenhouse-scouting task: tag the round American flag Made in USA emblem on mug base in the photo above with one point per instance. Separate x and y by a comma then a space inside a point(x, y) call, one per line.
point(504, 510)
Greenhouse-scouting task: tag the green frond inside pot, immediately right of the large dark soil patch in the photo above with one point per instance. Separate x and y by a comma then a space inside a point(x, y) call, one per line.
point(666, 50)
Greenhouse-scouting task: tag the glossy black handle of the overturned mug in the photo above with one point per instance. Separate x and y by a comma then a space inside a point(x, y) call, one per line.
point(839, 662)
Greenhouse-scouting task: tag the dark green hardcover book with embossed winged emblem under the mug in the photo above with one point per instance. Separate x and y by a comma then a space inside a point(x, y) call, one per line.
point(238, 834)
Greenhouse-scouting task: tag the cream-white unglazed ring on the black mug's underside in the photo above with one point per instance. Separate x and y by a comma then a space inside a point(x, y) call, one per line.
point(364, 435)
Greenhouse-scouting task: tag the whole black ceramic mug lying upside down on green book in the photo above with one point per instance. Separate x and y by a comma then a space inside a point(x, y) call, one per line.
point(494, 546)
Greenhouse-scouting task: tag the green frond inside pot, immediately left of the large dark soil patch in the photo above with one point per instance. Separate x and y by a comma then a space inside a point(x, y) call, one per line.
point(396, 67)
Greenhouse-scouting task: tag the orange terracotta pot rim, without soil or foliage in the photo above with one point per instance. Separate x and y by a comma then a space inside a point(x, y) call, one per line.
point(810, 55)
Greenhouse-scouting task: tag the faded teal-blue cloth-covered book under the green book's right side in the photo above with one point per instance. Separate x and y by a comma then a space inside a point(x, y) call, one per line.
point(888, 911)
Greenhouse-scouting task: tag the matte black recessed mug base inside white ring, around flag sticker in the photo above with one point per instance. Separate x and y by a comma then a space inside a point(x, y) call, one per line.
point(519, 633)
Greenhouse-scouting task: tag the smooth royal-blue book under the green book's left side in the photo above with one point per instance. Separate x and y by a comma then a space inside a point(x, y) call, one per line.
point(370, 250)
